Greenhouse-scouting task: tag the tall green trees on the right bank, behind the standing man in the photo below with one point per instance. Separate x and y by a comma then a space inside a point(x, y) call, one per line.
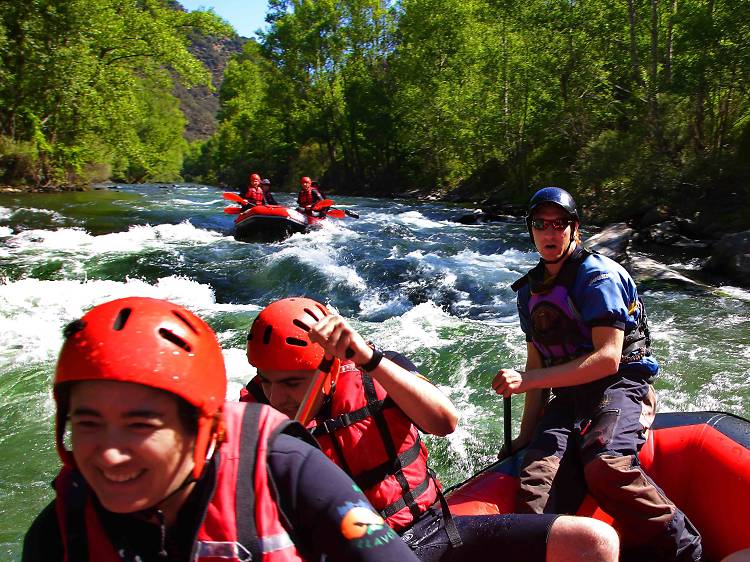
point(626, 102)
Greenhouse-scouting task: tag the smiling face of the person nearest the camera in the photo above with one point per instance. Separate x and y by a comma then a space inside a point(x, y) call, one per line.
point(129, 443)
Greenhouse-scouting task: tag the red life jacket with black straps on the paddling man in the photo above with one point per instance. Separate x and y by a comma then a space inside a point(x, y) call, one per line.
point(369, 437)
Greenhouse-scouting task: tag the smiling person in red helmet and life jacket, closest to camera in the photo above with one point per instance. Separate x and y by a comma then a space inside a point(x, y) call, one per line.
point(161, 468)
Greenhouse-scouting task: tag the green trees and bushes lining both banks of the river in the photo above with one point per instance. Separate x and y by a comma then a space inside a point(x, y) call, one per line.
point(630, 104)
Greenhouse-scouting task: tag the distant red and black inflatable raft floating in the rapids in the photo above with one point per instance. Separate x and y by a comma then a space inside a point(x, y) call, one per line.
point(267, 223)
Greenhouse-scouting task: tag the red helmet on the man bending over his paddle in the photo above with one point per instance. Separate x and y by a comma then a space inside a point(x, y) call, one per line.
point(278, 339)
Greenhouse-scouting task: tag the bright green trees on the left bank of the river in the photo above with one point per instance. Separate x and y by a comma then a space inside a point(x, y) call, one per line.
point(87, 84)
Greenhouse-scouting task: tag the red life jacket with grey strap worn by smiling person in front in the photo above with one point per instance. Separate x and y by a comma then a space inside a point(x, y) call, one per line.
point(235, 527)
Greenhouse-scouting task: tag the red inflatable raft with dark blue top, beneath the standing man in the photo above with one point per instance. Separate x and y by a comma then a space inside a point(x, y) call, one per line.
point(700, 459)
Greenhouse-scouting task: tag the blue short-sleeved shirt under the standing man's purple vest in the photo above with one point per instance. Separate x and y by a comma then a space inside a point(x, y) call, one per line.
point(604, 294)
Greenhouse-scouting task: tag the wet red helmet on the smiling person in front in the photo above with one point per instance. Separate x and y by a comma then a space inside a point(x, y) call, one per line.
point(154, 343)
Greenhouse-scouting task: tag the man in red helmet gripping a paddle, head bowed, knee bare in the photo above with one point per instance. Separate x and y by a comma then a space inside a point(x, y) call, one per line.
point(366, 419)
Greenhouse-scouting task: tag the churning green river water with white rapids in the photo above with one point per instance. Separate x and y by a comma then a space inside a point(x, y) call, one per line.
point(410, 277)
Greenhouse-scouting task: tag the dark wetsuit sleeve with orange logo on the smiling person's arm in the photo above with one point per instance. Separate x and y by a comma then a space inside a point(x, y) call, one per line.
point(328, 512)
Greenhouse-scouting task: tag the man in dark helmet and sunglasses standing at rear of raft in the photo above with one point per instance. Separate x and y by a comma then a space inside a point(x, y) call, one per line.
point(588, 341)
